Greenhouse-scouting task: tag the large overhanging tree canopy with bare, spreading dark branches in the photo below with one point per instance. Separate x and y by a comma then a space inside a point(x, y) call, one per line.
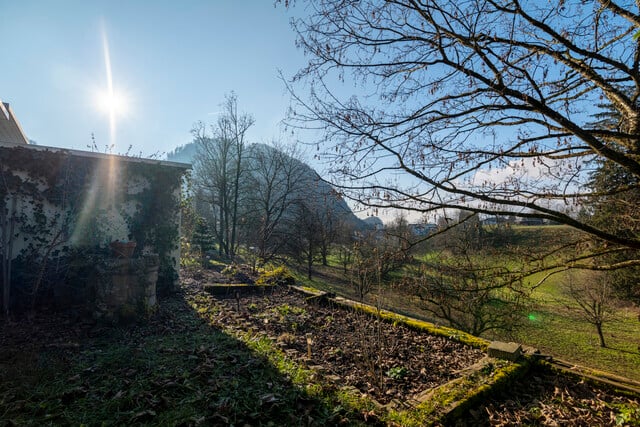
point(484, 105)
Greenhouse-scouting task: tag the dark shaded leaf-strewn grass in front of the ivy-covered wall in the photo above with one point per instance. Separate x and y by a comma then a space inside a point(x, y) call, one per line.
point(173, 370)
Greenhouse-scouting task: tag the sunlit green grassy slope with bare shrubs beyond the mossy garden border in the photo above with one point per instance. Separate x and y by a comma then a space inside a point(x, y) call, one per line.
point(545, 315)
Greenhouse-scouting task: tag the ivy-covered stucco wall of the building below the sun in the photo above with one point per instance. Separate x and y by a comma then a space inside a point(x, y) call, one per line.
point(60, 209)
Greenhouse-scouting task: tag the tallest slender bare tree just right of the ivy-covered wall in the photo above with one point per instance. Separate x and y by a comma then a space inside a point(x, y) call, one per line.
point(218, 170)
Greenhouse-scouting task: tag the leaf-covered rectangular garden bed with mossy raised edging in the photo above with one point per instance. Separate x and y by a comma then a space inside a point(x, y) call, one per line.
point(385, 360)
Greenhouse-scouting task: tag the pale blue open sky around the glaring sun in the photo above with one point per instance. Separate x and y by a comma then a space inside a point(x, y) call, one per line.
point(171, 65)
